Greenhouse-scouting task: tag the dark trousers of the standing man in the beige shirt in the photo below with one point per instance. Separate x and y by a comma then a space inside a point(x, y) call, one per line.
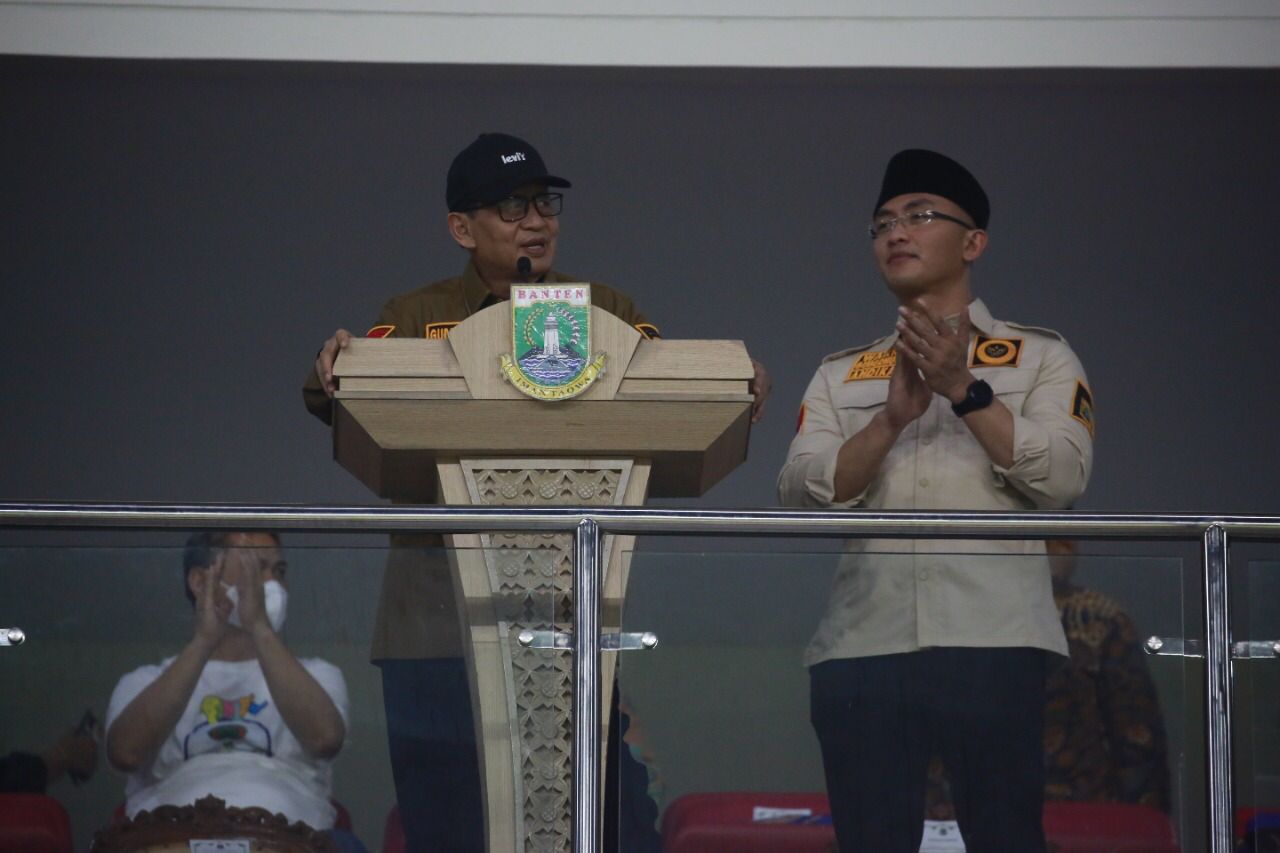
point(880, 720)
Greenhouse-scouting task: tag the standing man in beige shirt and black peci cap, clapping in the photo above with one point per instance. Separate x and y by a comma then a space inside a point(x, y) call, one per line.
point(939, 647)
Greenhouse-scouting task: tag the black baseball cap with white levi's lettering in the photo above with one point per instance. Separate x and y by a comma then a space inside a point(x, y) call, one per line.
point(493, 167)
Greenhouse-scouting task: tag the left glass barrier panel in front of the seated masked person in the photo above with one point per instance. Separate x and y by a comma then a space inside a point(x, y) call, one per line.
point(380, 622)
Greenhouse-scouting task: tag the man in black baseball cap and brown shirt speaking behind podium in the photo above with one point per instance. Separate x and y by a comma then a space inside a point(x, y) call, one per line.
point(504, 211)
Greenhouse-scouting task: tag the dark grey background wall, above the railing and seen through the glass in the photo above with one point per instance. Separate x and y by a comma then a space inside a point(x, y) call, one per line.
point(179, 239)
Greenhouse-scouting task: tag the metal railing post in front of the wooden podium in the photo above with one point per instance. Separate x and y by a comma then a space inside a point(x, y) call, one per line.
point(587, 687)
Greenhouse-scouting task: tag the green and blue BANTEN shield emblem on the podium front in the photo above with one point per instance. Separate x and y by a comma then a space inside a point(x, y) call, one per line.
point(551, 341)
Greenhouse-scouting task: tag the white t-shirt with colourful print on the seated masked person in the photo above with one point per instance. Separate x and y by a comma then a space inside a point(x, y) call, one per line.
point(231, 742)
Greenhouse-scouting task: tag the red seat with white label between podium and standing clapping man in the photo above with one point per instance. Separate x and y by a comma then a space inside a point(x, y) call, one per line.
point(724, 823)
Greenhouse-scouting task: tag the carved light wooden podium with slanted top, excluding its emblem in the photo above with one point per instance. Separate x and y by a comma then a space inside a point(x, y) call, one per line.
point(422, 421)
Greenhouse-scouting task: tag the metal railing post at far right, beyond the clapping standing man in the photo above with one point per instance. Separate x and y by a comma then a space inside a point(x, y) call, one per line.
point(1218, 690)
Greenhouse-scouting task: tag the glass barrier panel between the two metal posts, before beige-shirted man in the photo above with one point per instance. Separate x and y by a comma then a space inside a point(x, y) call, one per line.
point(758, 650)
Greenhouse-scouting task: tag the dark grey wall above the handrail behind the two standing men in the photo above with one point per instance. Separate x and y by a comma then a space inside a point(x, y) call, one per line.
point(180, 238)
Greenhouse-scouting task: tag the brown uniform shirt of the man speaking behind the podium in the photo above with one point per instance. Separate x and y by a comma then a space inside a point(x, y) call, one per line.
point(417, 614)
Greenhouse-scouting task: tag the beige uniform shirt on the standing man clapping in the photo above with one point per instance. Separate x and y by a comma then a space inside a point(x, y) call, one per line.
point(900, 596)
